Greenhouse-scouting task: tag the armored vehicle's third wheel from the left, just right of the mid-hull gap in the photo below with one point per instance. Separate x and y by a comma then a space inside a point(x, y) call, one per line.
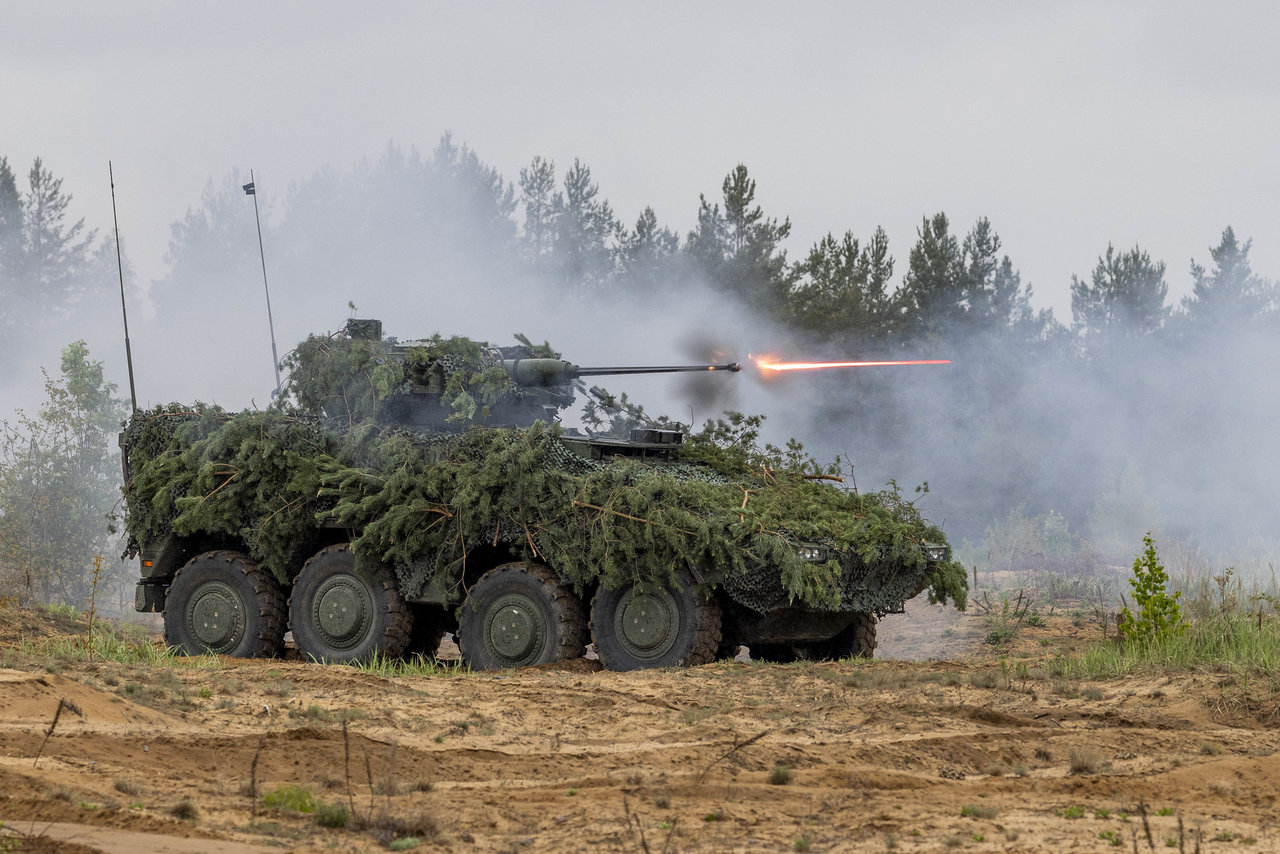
point(519, 615)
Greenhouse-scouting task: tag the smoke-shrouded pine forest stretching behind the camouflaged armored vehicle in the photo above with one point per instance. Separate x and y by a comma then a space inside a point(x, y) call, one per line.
point(1049, 442)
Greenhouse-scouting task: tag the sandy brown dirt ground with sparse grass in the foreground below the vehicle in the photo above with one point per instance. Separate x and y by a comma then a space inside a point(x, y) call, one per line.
point(944, 745)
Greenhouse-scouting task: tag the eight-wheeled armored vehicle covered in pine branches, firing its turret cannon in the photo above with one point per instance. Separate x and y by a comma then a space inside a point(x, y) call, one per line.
point(405, 490)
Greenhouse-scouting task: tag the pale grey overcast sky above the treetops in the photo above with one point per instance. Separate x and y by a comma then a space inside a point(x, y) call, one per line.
point(1067, 125)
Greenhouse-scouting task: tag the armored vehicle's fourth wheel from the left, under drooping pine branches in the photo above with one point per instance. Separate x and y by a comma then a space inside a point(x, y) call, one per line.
point(655, 627)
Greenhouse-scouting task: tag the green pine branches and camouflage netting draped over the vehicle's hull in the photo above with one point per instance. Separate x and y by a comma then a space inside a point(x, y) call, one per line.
point(423, 501)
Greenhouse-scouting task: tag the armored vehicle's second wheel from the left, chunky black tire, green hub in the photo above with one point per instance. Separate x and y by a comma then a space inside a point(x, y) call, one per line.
point(342, 613)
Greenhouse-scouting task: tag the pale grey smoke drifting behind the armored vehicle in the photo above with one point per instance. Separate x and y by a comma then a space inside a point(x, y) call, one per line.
point(1164, 433)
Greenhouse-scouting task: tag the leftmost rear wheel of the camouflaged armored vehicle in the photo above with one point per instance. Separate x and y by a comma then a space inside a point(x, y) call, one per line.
point(225, 604)
